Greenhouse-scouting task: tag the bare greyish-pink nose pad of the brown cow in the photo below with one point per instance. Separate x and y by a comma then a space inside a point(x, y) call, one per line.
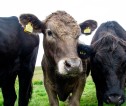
point(72, 64)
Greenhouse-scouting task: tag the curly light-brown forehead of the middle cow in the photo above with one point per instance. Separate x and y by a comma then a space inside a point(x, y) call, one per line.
point(62, 24)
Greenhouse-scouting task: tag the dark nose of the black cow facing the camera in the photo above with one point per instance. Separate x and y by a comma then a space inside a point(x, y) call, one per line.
point(115, 99)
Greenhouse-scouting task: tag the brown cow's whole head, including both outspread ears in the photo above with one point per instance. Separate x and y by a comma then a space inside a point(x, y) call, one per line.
point(61, 33)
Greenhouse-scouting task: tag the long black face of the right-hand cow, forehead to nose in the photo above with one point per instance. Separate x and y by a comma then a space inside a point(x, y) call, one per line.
point(109, 66)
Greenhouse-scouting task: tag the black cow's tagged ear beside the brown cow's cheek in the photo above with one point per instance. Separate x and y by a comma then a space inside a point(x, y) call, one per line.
point(84, 51)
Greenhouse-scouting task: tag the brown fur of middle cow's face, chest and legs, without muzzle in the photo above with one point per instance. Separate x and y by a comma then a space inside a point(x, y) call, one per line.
point(66, 31)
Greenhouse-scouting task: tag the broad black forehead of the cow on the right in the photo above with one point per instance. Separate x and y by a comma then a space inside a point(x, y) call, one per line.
point(109, 48)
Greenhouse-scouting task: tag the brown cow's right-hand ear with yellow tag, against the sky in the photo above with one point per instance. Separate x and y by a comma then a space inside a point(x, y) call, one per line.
point(87, 27)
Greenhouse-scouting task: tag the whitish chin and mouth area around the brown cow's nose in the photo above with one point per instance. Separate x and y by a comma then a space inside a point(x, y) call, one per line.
point(63, 71)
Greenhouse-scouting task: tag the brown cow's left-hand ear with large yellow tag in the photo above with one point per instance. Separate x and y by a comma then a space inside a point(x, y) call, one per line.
point(31, 23)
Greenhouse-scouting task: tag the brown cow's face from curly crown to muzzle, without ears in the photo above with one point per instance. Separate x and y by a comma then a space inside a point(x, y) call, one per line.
point(61, 36)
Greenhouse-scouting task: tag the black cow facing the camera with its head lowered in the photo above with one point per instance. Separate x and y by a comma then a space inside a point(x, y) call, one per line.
point(108, 63)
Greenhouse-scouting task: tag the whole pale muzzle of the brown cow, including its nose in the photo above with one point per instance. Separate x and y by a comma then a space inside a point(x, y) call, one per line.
point(70, 66)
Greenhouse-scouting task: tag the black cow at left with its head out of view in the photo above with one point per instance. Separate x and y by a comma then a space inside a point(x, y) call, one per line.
point(18, 51)
